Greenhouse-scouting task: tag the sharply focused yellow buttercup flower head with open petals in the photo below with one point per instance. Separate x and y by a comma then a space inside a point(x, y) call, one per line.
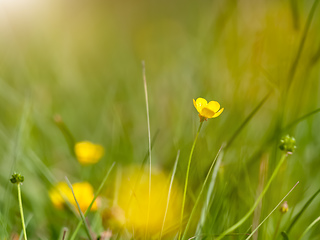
point(207, 110)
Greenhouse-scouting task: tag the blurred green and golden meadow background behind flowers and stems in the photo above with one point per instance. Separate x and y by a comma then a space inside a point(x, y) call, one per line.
point(82, 60)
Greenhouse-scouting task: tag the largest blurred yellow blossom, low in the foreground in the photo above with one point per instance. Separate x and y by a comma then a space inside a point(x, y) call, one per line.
point(133, 198)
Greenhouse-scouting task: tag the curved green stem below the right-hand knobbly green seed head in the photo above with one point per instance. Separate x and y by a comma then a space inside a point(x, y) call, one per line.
point(242, 220)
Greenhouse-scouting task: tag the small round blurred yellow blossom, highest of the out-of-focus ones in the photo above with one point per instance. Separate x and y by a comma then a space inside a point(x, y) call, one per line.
point(88, 152)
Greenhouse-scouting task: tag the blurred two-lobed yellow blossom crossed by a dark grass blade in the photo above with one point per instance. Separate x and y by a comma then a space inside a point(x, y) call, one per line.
point(83, 192)
